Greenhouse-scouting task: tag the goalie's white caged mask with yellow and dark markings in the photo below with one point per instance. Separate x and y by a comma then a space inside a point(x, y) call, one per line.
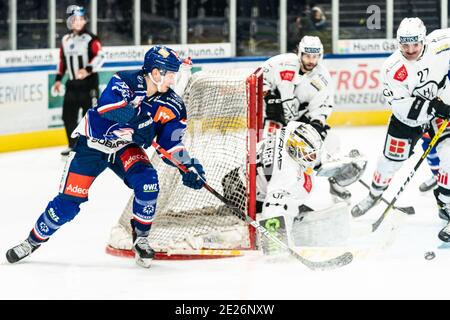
point(304, 145)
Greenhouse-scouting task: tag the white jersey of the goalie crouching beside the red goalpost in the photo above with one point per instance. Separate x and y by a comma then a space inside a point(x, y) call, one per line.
point(277, 172)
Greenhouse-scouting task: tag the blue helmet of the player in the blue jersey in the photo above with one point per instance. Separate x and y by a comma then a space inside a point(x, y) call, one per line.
point(162, 58)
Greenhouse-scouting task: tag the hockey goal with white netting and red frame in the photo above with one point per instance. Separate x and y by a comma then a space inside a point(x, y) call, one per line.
point(224, 118)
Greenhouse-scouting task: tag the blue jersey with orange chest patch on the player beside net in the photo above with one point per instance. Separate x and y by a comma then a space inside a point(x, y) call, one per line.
point(127, 91)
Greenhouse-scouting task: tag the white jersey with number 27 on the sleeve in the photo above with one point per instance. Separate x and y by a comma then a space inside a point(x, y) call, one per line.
point(409, 86)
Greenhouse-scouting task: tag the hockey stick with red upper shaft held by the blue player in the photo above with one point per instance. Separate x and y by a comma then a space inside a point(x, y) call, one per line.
point(336, 262)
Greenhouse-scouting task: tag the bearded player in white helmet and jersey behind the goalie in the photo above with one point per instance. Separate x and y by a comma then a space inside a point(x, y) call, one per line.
point(298, 87)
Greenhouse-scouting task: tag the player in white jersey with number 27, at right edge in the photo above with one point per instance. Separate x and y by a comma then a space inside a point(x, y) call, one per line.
point(415, 87)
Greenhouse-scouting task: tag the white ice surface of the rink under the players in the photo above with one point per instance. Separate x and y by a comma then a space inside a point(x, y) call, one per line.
point(73, 264)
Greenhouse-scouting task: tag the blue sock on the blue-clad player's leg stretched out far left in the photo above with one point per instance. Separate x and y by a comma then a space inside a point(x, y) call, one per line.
point(58, 212)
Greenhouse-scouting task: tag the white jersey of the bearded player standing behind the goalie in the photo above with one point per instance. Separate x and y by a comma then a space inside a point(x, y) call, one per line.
point(310, 93)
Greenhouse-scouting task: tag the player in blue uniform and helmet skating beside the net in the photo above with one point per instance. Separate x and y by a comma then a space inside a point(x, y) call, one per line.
point(136, 107)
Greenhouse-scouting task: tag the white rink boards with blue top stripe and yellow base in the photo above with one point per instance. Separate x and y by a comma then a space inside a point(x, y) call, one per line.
point(30, 111)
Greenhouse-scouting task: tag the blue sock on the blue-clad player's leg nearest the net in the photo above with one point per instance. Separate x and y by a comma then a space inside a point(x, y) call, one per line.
point(143, 180)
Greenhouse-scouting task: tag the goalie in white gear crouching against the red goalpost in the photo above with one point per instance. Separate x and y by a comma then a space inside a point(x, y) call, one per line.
point(285, 180)
